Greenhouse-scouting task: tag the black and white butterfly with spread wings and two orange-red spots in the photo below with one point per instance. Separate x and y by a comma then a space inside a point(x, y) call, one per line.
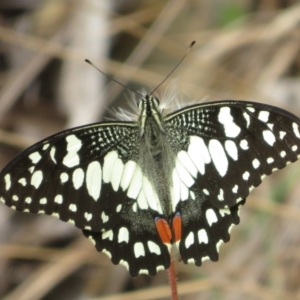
point(137, 188)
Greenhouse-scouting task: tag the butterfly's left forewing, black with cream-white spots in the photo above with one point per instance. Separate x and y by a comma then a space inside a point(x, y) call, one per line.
point(64, 175)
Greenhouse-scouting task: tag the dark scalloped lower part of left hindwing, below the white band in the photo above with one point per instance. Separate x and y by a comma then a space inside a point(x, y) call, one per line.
point(134, 242)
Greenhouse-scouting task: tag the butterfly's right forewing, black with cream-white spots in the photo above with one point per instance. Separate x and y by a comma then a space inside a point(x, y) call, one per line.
point(233, 145)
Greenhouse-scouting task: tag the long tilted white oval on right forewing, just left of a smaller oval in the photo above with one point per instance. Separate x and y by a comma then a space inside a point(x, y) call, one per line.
point(218, 156)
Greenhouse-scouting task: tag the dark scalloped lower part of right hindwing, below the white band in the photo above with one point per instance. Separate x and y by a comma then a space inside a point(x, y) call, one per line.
point(204, 228)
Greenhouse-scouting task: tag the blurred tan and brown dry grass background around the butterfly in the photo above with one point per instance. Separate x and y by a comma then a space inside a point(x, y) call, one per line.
point(246, 49)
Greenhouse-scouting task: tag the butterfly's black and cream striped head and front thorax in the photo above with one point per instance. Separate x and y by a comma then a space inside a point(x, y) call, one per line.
point(149, 110)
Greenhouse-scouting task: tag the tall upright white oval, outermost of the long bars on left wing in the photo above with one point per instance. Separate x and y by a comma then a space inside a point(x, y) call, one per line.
point(93, 179)
